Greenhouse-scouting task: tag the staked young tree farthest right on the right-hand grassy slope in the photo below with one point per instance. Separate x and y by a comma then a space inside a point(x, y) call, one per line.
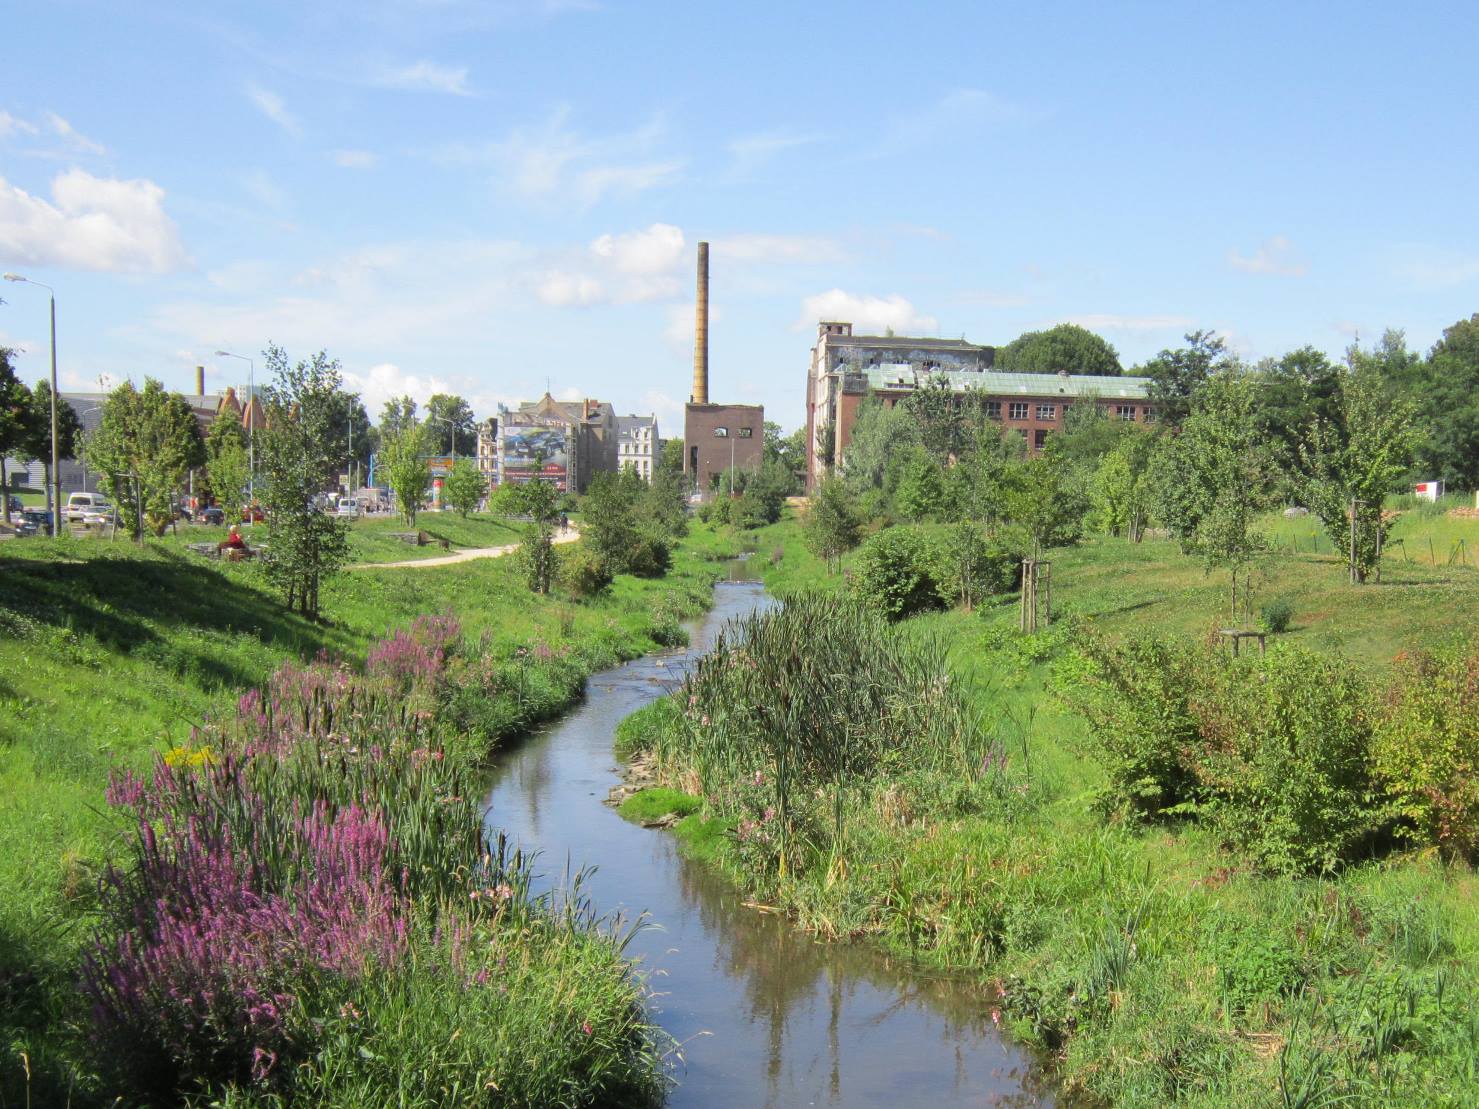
point(1354, 461)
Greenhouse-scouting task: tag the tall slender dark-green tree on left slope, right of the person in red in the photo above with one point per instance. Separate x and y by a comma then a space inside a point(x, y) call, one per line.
point(299, 456)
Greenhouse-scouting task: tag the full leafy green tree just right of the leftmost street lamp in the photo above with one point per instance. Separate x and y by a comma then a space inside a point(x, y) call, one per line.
point(146, 446)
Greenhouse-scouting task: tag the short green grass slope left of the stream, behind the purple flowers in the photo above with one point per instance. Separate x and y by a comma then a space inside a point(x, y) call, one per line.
point(112, 654)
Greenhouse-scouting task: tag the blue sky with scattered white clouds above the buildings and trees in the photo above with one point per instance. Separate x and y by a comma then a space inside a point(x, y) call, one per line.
point(486, 197)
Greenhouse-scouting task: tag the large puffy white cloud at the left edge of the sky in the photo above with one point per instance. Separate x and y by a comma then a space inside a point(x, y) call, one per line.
point(100, 224)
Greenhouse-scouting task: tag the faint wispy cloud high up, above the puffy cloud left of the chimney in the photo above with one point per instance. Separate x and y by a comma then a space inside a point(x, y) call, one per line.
point(557, 166)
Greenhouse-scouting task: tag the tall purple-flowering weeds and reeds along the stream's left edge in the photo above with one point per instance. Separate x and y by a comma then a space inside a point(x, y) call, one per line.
point(311, 913)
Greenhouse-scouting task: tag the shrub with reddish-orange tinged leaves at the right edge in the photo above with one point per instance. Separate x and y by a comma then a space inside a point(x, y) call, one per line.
point(1428, 747)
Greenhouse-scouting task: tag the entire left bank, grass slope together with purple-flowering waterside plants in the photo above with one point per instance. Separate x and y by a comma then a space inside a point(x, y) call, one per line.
point(134, 660)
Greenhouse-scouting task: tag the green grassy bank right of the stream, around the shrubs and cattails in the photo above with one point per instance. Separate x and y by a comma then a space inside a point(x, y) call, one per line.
point(1157, 962)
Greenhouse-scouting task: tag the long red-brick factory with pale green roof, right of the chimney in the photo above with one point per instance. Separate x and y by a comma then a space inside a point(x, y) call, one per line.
point(848, 369)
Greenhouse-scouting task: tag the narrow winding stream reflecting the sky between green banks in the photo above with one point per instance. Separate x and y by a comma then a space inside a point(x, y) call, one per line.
point(764, 1014)
